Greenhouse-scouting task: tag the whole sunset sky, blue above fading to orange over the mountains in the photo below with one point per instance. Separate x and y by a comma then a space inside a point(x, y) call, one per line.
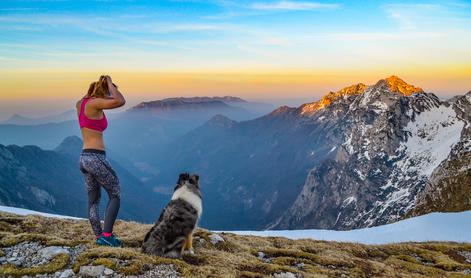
point(279, 51)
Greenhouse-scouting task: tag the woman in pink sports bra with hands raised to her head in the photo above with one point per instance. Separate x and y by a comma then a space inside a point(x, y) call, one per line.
point(98, 173)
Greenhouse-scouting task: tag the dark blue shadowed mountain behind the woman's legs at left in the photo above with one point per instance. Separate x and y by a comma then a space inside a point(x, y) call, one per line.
point(51, 181)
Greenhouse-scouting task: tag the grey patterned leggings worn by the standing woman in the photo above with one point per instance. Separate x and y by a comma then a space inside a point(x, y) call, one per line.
point(98, 173)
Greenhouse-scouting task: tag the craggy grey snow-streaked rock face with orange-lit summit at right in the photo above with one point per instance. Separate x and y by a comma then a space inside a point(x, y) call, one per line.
point(393, 136)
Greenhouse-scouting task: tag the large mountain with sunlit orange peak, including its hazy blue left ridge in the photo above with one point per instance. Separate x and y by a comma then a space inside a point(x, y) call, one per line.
point(358, 157)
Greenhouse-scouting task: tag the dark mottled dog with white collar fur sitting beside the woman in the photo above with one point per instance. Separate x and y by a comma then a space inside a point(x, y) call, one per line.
point(173, 231)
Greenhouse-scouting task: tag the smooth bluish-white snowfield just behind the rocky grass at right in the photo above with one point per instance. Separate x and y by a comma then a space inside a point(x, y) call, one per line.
point(430, 227)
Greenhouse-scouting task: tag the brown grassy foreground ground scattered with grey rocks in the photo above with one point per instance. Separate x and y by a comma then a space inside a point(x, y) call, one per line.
point(35, 246)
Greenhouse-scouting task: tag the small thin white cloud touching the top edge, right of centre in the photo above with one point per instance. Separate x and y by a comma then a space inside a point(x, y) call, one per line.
point(292, 6)
